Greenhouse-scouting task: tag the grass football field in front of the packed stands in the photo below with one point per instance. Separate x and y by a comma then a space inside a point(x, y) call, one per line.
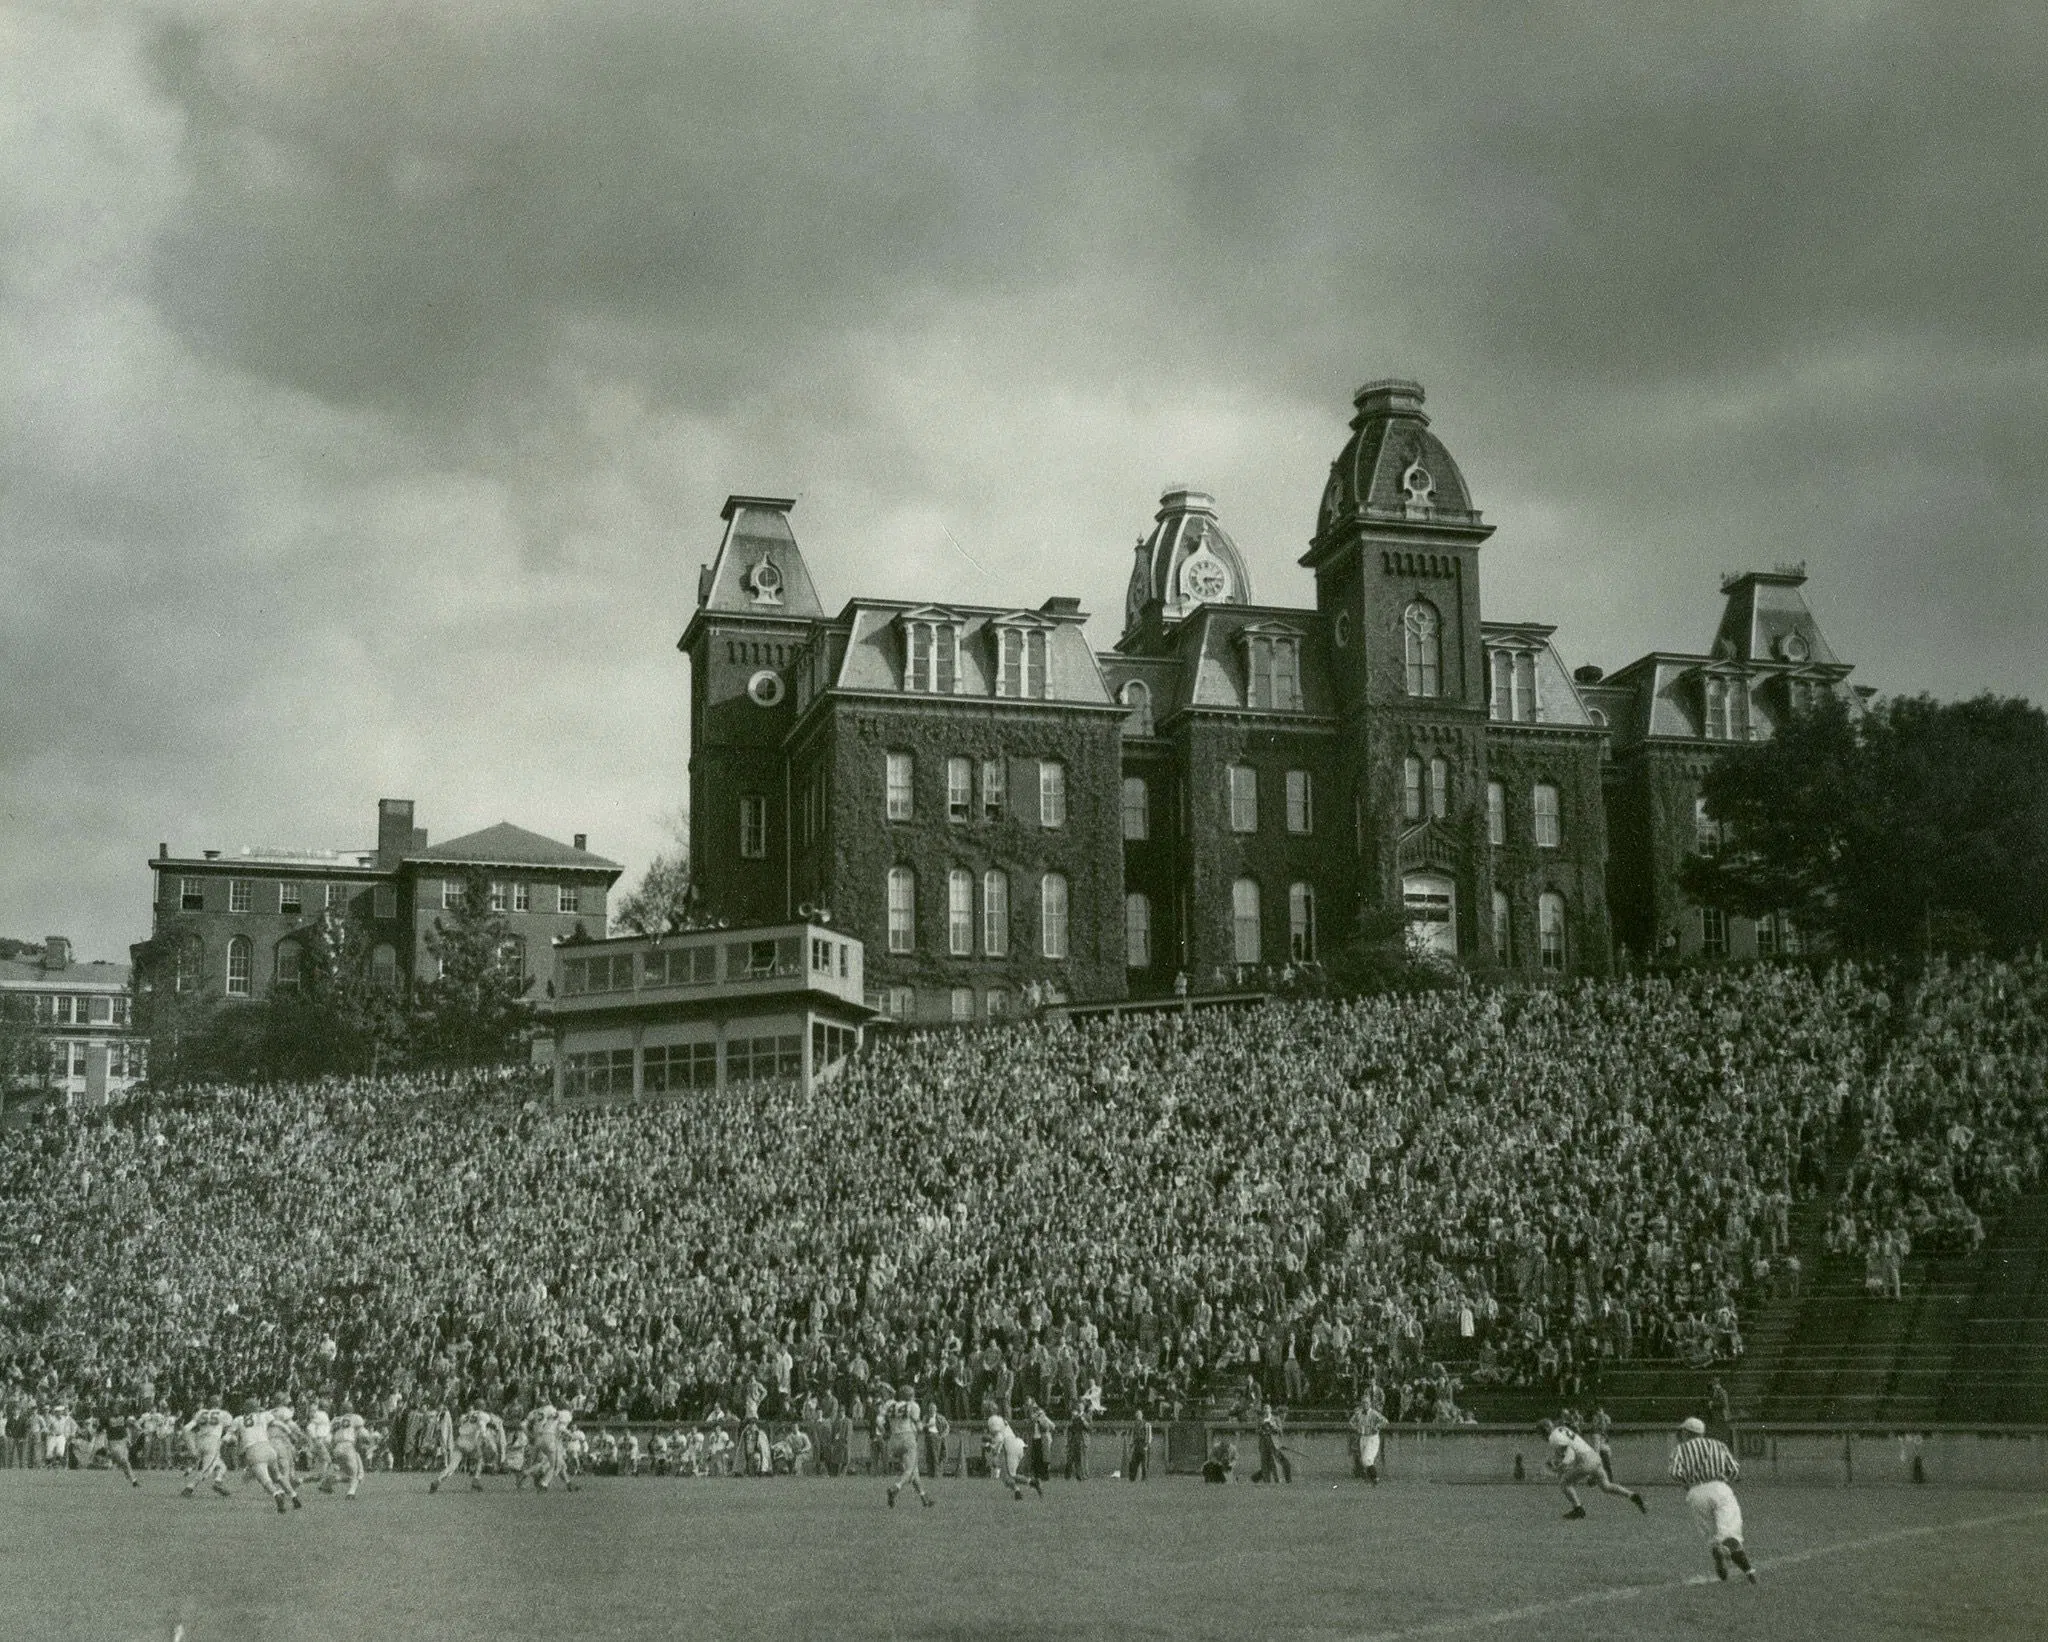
point(87, 1557)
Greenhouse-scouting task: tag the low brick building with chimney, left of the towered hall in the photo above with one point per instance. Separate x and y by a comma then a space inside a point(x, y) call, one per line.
point(234, 924)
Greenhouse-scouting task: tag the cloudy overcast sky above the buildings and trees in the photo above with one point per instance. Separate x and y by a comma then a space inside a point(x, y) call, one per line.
point(374, 376)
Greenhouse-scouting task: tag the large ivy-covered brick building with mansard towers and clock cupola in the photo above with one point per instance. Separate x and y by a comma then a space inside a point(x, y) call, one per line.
point(1005, 816)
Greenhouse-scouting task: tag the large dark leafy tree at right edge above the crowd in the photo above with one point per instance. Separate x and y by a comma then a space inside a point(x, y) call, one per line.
point(1920, 826)
